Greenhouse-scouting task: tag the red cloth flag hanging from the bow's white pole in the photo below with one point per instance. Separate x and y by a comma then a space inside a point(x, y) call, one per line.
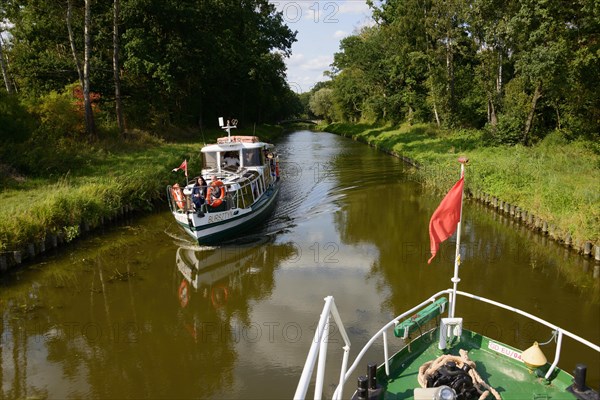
point(446, 217)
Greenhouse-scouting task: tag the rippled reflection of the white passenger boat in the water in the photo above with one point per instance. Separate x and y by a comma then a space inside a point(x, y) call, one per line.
point(226, 278)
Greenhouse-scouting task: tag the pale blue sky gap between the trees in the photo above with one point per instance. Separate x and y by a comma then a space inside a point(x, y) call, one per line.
point(320, 25)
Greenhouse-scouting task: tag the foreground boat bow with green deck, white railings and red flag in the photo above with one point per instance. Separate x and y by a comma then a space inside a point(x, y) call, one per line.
point(445, 360)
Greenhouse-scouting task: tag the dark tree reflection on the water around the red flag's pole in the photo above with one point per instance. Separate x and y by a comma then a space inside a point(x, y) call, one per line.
point(395, 218)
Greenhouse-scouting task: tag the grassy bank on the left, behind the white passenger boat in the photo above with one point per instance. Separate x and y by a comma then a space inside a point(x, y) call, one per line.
point(134, 172)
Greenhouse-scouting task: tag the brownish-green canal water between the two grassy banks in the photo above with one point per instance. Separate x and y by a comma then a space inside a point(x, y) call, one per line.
point(140, 311)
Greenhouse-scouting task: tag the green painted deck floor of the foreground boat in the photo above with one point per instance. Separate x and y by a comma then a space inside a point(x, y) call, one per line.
point(510, 377)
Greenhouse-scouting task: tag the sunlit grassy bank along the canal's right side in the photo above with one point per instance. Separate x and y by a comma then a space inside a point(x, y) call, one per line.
point(557, 180)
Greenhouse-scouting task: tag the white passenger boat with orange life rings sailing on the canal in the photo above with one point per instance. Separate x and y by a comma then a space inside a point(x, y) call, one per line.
point(242, 175)
